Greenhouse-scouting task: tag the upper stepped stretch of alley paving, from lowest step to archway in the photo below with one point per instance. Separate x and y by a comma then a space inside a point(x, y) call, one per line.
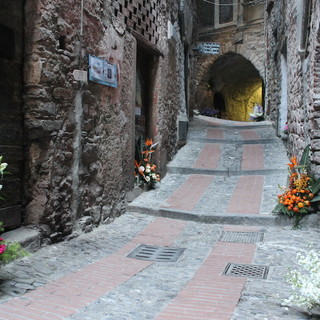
point(237, 162)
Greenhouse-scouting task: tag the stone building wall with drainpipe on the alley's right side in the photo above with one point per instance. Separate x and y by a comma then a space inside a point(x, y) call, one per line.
point(293, 73)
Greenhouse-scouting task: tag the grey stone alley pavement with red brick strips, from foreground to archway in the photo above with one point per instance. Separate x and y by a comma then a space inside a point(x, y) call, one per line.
point(92, 277)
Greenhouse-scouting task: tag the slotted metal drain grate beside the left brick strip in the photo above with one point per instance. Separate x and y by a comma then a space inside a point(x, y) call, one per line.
point(155, 253)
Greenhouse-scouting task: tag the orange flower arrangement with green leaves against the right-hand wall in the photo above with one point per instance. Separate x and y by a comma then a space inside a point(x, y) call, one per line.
point(297, 198)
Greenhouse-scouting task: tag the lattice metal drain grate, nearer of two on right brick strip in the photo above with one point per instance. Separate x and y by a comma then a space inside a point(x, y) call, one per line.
point(246, 270)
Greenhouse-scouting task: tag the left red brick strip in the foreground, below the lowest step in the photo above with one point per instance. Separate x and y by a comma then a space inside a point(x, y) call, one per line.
point(62, 298)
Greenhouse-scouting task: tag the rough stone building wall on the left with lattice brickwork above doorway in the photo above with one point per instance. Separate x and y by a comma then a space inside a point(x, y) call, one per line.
point(79, 136)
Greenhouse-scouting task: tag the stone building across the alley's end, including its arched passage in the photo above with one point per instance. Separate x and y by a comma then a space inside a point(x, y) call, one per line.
point(231, 80)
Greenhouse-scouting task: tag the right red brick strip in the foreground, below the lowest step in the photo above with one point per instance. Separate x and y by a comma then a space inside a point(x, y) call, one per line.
point(210, 294)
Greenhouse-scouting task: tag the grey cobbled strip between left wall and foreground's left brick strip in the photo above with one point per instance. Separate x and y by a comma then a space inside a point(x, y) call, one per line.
point(57, 260)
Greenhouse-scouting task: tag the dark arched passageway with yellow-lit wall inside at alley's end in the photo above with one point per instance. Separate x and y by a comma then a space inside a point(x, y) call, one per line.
point(230, 86)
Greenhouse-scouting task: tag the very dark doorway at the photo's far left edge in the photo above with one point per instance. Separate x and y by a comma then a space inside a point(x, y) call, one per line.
point(11, 121)
